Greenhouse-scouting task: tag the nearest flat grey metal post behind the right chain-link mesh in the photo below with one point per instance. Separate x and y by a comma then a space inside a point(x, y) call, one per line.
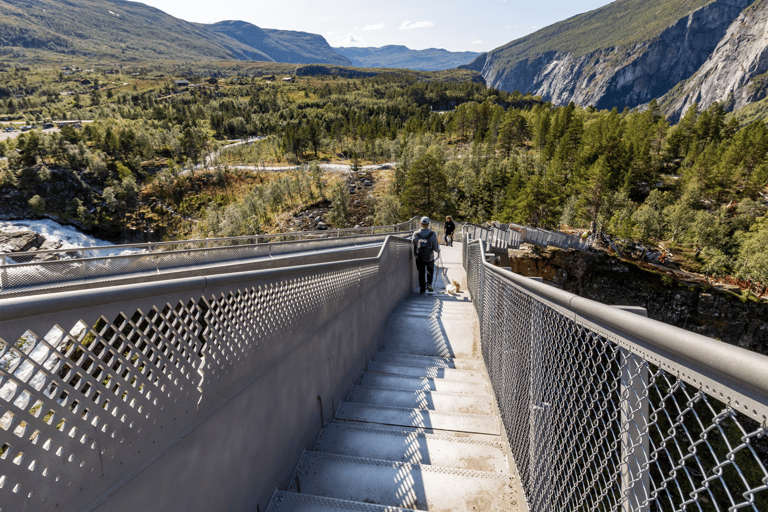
point(635, 488)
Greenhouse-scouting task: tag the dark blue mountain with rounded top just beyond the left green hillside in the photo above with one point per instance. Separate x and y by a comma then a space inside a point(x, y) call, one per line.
point(281, 45)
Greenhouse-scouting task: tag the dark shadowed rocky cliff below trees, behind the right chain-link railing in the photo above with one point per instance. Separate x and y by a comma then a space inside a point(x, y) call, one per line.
point(716, 313)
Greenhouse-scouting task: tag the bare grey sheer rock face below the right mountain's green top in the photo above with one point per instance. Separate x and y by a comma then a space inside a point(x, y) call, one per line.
point(626, 74)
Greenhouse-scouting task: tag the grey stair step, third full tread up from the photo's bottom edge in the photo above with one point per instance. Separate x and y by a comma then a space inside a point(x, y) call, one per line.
point(472, 423)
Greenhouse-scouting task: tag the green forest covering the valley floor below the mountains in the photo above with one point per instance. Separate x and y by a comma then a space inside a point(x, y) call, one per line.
point(152, 156)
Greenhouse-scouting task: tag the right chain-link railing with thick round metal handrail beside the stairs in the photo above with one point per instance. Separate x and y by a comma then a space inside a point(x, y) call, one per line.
point(608, 410)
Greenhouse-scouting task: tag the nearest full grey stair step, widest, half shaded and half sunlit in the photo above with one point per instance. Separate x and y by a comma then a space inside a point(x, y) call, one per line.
point(401, 484)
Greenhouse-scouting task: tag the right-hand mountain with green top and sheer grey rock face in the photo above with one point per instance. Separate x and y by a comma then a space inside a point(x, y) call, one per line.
point(623, 54)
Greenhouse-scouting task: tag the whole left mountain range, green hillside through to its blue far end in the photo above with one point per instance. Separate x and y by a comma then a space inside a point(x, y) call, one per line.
point(129, 31)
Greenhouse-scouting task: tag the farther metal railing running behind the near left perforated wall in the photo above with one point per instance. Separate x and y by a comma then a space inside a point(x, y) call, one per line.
point(45, 270)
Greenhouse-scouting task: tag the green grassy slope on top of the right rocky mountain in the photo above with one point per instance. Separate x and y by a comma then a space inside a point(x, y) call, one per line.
point(620, 23)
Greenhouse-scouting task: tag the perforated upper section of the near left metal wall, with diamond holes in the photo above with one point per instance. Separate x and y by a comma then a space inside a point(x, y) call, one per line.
point(90, 394)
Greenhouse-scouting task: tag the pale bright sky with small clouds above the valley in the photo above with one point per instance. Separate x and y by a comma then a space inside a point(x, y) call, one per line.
point(478, 26)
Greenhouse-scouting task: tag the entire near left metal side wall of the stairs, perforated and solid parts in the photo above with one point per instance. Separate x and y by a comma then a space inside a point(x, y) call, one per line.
point(189, 394)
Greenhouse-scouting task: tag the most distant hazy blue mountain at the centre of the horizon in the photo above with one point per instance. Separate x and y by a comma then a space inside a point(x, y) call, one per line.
point(397, 56)
